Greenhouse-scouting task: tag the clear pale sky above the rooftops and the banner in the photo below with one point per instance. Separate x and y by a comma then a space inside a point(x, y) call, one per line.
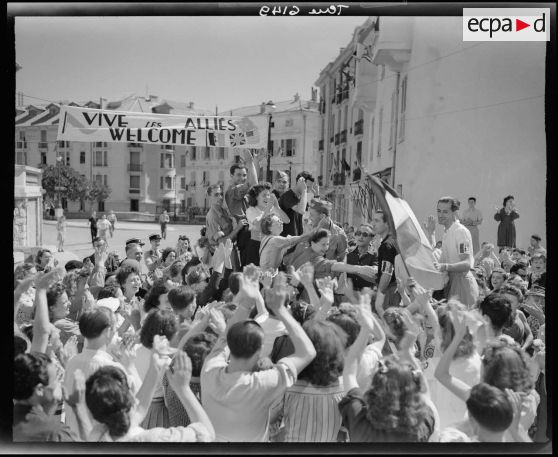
point(227, 62)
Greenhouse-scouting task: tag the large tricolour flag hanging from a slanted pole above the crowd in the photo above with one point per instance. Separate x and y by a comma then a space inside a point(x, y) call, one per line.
point(414, 247)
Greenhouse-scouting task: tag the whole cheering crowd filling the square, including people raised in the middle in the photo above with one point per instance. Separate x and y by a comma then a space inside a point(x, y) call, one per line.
point(280, 325)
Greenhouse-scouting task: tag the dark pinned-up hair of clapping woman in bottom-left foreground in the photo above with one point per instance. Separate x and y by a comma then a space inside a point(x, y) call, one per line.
point(109, 399)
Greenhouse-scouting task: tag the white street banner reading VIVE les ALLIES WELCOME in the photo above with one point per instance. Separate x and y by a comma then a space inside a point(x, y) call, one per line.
point(85, 124)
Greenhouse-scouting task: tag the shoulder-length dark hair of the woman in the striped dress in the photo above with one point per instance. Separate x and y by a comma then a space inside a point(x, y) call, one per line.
point(329, 341)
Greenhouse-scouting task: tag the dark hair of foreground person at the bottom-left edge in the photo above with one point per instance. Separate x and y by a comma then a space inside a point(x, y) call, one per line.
point(30, 370)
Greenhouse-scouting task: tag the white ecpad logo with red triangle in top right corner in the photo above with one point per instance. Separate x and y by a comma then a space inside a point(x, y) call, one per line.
point(506, 24)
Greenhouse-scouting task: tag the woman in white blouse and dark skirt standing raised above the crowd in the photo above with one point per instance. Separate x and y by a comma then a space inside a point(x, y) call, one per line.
point(261, 202)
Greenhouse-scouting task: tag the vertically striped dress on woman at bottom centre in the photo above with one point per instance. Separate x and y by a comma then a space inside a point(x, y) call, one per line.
point(311, 413)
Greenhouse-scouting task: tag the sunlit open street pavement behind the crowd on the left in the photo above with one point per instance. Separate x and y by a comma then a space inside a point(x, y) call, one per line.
point(78, 237)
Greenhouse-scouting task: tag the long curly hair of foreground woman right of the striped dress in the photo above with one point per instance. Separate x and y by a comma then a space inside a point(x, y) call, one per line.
point(394, 401)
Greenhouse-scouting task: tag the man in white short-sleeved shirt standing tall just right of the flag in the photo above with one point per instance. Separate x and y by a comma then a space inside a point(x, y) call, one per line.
point(457, 254)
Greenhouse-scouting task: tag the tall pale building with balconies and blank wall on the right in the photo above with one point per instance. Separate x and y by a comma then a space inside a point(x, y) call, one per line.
point(408, 101)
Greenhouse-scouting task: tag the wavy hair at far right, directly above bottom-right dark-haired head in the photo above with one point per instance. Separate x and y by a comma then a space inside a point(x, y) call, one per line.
point(505, 366)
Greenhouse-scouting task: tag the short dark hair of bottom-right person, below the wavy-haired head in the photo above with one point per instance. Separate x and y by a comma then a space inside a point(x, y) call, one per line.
point(490, 407)
